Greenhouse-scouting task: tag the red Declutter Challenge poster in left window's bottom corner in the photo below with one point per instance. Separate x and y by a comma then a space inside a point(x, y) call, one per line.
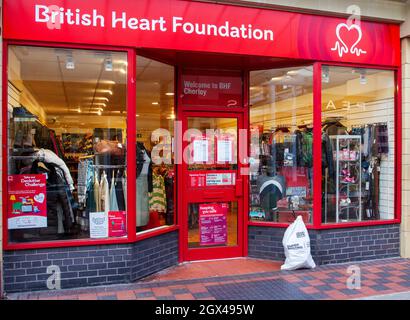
point(27, 201)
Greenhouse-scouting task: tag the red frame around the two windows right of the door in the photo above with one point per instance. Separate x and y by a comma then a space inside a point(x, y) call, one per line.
point(317, 152)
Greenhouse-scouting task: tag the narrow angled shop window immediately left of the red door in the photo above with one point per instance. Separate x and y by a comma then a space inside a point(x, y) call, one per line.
point(155, 130)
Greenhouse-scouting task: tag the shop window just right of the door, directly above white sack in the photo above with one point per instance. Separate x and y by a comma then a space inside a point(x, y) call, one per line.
point(281, 164)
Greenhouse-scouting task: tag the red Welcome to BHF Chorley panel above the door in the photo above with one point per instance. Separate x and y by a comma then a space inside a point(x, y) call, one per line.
point(205, 90)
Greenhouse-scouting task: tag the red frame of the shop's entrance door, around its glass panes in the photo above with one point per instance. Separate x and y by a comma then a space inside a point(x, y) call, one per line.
point(207, 253)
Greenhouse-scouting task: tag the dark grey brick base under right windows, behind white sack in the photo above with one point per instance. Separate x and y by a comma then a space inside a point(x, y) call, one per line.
point(332, 245)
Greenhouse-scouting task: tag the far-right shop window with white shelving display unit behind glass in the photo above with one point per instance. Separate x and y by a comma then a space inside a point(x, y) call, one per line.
point(357, 144)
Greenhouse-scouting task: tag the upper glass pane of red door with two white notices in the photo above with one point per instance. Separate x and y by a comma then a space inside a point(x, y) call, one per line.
point(212, 143)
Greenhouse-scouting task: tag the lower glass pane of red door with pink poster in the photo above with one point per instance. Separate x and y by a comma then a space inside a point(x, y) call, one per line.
point(212, 224)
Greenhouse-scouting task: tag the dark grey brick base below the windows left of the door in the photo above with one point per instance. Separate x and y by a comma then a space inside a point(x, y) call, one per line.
point(26, 270)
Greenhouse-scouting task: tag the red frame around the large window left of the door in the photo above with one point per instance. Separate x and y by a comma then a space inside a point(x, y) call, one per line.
point(132, 236)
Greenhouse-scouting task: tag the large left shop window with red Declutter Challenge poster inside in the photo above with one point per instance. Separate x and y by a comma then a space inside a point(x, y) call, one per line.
point(66, 144)
